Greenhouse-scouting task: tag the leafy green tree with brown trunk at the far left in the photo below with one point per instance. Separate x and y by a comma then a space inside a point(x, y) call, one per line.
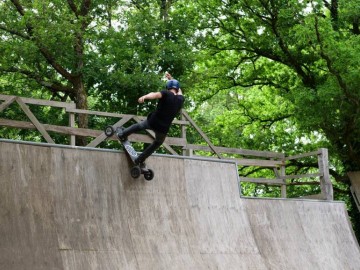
point(45, 42)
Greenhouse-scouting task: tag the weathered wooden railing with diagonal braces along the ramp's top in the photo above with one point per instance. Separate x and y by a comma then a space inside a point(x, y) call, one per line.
point(243, 157)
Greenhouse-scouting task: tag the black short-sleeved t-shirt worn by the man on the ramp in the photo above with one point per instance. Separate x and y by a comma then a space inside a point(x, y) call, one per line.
point(168, 107)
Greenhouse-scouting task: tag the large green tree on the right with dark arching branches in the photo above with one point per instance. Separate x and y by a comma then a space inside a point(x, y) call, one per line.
point(294, 49)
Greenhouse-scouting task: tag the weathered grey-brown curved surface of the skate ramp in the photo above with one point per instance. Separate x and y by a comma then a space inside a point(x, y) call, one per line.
point(80, 209)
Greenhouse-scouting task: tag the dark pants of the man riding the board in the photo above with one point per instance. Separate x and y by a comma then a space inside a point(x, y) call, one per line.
point(159, 139)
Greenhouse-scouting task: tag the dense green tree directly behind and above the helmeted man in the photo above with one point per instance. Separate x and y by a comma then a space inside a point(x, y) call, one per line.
point(153, 37)
